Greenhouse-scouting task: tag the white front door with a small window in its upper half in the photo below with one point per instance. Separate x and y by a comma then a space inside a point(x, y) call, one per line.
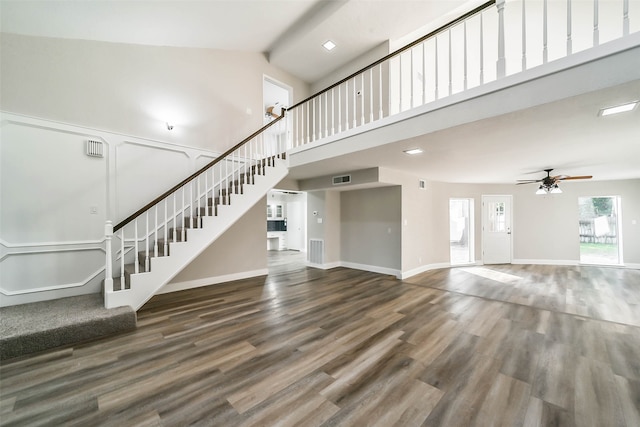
point(496, 229)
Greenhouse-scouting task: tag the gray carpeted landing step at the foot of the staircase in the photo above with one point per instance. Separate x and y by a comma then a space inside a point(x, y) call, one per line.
point(30, 328)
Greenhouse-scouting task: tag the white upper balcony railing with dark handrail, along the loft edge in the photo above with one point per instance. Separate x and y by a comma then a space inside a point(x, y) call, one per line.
point(497, 39)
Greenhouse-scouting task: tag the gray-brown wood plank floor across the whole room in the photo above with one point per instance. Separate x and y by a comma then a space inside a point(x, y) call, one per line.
point(479, 346)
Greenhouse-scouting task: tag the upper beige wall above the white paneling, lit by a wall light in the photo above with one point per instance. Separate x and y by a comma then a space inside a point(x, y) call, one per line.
point(134, 89)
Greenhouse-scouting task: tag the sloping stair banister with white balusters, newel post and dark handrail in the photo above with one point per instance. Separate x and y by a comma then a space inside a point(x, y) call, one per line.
point(164, 219)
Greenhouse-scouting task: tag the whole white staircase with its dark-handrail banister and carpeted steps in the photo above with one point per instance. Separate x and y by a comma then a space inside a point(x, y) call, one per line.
point(154, 244)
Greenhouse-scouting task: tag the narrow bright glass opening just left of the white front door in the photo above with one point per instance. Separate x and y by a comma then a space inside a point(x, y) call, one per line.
point(461, 231)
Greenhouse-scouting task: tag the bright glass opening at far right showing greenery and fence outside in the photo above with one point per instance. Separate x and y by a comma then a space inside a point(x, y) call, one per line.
point(599, 224)
